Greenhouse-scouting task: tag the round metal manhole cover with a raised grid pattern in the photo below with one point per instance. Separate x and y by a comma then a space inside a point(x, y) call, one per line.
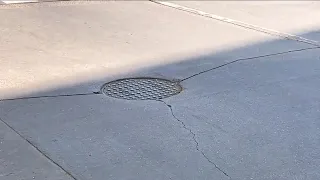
point(141, 88)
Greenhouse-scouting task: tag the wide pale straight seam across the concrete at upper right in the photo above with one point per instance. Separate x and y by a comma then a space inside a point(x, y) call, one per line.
point(239, 23)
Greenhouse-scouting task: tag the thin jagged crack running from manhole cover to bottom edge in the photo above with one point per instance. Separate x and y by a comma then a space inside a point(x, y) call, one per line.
point(194, 139)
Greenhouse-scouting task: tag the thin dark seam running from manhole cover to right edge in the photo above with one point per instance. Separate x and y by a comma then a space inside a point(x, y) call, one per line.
point(245, 59)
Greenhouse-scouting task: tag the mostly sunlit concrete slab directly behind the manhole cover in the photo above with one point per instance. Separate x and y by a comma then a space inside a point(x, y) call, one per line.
point(51, 46)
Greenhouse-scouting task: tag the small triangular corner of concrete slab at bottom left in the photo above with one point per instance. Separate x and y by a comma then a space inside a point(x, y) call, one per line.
point(19, 160)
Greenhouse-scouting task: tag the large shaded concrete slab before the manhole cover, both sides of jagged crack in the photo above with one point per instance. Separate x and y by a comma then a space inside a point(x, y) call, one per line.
point(252, 119)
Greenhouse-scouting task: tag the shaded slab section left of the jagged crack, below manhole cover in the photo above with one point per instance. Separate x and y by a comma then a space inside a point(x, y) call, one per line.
point(95, 137)
